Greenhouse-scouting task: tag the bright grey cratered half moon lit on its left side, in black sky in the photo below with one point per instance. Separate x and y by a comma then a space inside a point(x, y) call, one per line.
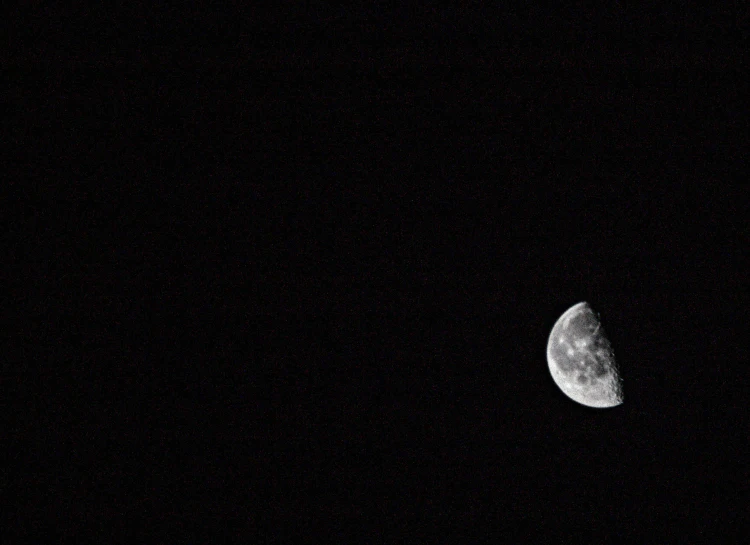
point(581, 359)
